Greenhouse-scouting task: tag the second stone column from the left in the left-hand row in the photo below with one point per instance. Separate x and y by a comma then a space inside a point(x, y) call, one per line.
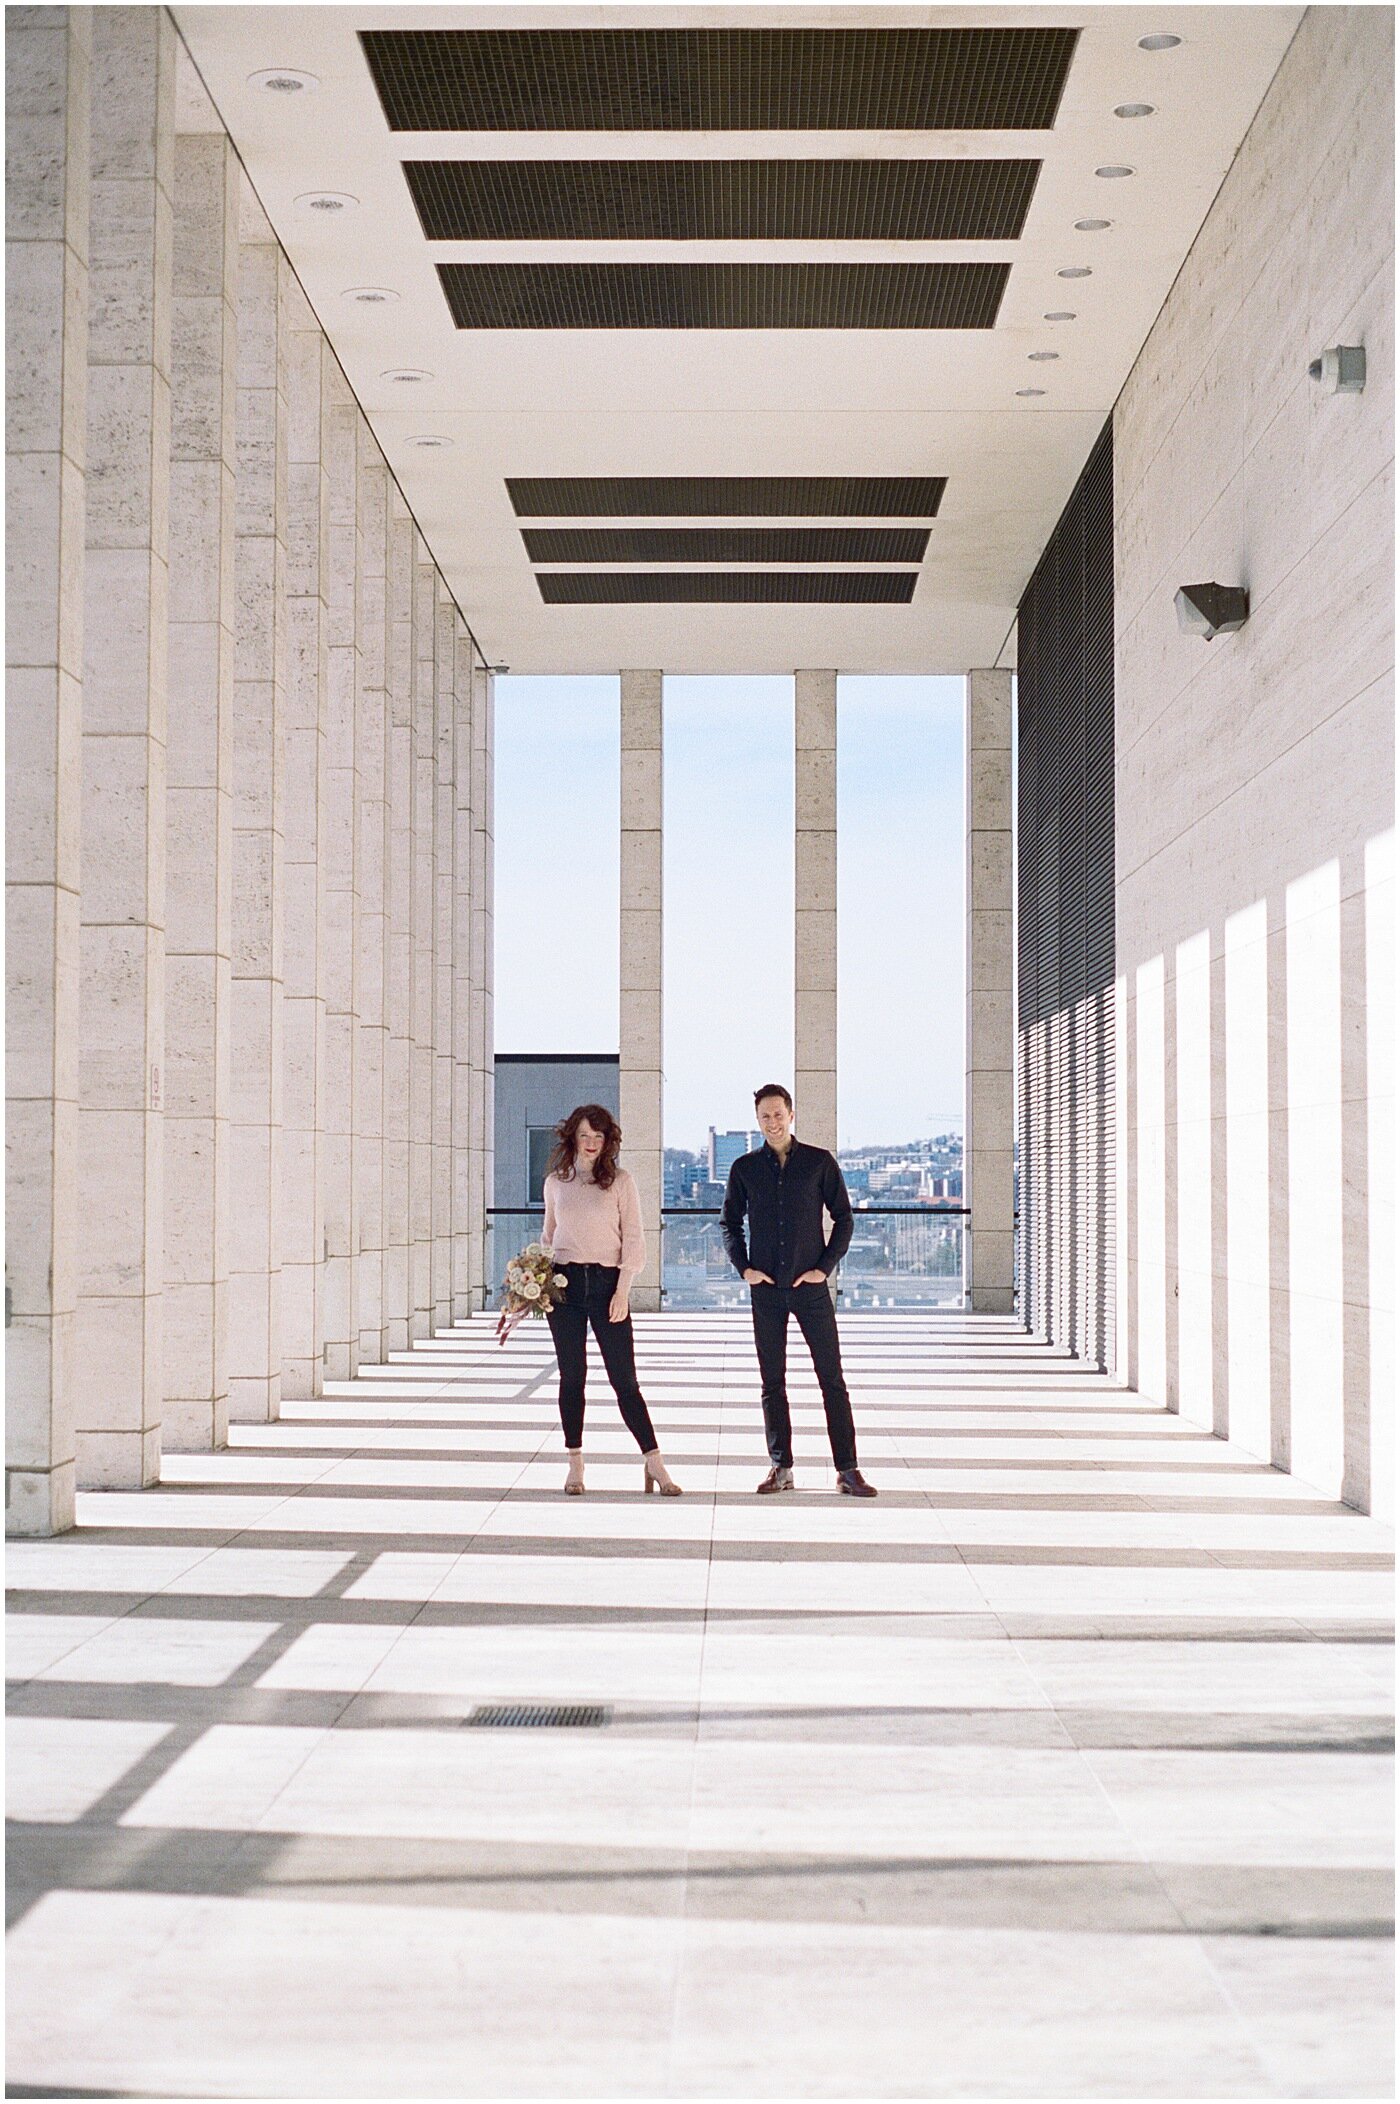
point(121, 1026)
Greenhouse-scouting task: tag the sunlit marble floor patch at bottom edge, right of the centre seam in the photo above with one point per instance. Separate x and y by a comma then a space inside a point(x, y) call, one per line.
point(799, 2010)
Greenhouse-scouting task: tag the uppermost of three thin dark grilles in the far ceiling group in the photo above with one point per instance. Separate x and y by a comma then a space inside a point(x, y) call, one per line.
point(704, 498)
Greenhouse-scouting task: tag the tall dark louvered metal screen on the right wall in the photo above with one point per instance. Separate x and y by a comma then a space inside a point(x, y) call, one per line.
point(1066, 925)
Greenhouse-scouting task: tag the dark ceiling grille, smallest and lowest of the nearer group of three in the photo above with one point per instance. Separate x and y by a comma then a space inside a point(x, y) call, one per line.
point(725, 296)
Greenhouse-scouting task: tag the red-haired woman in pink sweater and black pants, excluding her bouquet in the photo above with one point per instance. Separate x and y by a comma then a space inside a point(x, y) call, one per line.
point(595, 1232)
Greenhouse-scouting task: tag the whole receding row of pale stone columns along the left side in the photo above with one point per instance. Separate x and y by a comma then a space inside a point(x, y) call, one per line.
point(249, 826)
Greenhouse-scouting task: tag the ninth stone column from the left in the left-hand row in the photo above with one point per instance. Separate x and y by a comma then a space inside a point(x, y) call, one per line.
point(424, 826)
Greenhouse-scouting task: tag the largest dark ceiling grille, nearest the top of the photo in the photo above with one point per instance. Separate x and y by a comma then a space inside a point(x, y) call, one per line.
point(487, 81)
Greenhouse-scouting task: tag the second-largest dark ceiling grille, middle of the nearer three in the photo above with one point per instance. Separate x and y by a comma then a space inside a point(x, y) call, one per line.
point(721, 201)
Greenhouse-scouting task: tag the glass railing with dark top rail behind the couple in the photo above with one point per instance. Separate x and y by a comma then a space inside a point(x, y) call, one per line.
point(900, 1257)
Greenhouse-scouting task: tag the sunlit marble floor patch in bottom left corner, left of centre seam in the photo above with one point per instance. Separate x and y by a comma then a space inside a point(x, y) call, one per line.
point(302, 2000)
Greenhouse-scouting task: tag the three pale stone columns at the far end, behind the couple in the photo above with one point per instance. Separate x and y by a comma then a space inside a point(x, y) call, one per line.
point(991, 1021)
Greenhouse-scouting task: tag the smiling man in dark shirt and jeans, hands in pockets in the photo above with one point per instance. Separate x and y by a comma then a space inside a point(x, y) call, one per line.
point(786, 1263)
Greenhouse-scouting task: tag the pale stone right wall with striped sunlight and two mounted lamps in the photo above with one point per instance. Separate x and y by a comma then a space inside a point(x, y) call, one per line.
point(1254, 786)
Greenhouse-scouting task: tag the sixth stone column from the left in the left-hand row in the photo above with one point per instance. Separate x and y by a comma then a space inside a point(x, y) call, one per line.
point(340, 1306)
